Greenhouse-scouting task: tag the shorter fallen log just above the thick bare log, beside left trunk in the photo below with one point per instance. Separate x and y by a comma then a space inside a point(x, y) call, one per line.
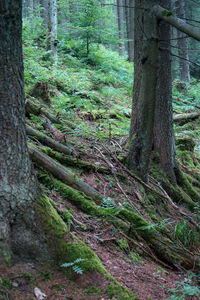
point(45, 140)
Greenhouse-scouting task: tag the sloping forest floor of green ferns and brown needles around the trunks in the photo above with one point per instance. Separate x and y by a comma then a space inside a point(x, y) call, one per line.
point(89, 113)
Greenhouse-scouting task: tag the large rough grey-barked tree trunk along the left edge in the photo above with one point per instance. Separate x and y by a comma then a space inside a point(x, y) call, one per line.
point(18, 186)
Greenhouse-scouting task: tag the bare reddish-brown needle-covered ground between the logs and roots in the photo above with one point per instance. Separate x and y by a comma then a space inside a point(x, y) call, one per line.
point(141, 274)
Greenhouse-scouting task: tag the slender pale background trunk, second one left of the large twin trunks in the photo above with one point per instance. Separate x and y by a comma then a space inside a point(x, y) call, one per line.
point(120, 26)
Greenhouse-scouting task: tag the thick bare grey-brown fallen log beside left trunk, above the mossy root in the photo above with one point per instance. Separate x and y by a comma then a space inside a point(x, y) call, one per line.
point(42, 160)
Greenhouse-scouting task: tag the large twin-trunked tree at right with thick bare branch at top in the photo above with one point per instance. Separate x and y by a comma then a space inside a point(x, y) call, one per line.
point(148, 115)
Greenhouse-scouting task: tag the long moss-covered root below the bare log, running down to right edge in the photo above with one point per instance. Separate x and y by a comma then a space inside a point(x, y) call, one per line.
point(160, 244)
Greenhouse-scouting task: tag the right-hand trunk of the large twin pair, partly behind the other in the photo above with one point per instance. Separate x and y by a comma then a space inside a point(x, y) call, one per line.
point(164, 142)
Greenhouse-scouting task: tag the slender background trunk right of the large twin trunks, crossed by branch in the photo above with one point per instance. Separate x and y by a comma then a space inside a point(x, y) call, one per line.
point(182, 44)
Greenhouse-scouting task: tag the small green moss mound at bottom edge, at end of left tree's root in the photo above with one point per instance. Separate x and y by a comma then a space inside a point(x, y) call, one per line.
point(120, 293)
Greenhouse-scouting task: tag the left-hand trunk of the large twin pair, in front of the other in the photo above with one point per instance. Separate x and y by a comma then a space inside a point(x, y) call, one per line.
point(141, 145)
